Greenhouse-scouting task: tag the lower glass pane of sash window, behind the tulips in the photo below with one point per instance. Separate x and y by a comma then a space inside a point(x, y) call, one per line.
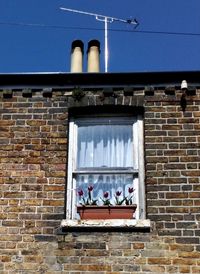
point(110, 183)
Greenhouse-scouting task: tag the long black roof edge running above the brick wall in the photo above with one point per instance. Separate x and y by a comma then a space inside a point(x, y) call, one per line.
point(67, 80)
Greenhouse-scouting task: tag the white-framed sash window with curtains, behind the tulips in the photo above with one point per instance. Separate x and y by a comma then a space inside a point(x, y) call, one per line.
point(107, 153)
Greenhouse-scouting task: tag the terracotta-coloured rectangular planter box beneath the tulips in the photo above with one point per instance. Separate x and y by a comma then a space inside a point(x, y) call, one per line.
point(107, 212)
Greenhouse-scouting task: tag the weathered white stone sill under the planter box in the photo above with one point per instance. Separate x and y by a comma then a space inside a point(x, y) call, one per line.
point(106, 224)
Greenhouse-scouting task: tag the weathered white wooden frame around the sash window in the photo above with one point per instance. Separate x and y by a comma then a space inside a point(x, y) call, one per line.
point(138, 137)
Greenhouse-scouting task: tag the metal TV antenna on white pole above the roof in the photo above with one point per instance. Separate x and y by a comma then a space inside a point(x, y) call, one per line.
point(106, 20)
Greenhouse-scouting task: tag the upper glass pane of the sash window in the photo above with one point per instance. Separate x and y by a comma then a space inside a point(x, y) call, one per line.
point(105, 146)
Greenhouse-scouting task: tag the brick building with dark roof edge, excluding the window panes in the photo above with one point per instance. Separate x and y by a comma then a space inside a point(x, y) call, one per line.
point(37, 232)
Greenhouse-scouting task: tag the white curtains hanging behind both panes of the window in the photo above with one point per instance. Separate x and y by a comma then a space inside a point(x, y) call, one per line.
point(103, 147)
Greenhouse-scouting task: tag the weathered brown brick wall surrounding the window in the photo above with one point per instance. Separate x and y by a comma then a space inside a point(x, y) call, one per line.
point(33, 152)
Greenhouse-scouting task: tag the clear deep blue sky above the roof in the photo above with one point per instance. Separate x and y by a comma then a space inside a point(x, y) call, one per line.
point(47, 49)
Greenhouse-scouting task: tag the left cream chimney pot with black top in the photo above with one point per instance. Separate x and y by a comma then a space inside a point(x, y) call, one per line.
point(77, 56)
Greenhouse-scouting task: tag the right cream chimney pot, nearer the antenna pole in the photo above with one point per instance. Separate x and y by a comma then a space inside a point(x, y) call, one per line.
point(93, 56)
